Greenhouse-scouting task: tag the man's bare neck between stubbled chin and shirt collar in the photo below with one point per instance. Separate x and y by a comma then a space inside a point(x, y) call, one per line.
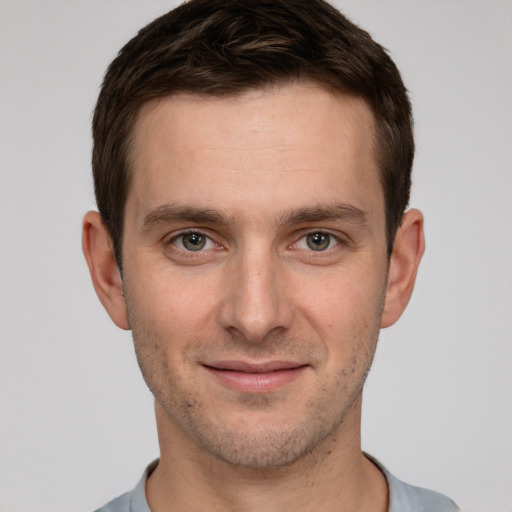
point(334, 477)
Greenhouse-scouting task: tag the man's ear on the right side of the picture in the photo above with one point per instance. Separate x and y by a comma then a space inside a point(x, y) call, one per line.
point(408, 249)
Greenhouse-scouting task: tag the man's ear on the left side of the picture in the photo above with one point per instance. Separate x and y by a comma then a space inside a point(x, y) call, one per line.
point(105, 275)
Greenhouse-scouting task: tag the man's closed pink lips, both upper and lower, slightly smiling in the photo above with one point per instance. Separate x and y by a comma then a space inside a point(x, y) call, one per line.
point(255, 377)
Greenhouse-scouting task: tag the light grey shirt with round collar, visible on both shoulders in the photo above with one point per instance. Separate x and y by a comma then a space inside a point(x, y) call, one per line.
point(402, 497)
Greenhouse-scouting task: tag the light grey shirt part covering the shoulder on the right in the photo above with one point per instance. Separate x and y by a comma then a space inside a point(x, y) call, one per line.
point(404, 497)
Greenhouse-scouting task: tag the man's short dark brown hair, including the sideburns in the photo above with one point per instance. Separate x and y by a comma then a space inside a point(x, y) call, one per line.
point(225, 47)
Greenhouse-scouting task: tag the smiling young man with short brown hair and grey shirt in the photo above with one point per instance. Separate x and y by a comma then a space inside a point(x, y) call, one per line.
point(252, 168)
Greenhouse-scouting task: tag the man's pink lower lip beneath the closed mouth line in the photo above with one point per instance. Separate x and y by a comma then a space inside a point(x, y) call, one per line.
point(256, 382)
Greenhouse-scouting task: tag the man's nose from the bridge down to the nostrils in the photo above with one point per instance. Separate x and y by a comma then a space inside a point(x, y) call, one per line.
point(255, 303)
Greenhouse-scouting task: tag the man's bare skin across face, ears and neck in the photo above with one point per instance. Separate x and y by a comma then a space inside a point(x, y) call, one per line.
point(259, 178)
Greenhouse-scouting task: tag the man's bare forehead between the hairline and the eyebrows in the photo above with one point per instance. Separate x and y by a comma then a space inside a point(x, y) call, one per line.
point(276, 144)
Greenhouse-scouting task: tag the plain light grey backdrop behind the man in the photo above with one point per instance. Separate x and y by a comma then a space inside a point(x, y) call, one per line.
point(76, 420)
